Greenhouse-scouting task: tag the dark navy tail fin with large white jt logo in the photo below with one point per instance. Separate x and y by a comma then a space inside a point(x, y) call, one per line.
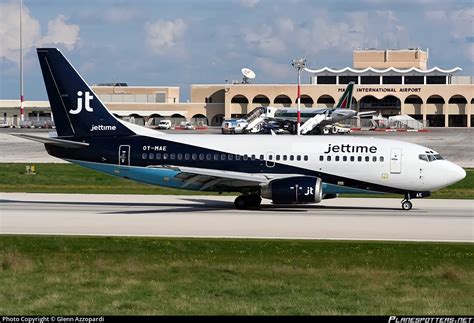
point(77, 110)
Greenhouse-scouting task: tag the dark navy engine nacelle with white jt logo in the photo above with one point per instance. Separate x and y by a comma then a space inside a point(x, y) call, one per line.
point(294, 190)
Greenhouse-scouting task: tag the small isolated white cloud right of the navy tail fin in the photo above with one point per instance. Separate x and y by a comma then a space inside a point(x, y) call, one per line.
point(163, 35)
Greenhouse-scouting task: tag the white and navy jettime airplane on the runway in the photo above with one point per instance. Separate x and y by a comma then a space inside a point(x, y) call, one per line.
point(285, 169)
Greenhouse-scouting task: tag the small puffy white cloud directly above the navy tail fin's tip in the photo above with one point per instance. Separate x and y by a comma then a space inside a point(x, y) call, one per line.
point(59, 32)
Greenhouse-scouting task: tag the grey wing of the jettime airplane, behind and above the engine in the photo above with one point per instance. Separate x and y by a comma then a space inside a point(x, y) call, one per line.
point(212, 178)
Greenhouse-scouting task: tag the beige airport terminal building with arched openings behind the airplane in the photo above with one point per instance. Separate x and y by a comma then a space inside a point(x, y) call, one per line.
point(391, 82)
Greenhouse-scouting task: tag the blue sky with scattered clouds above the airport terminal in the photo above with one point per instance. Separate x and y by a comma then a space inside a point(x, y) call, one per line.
point(184, 42)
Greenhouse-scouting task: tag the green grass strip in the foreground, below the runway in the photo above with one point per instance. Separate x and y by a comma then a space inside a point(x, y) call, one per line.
point(126, 276)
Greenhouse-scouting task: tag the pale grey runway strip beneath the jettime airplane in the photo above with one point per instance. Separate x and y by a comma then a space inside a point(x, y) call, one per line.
point(214, 216)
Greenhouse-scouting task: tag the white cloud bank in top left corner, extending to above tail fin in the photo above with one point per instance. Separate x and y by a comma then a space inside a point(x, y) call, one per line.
point(59, 32)
